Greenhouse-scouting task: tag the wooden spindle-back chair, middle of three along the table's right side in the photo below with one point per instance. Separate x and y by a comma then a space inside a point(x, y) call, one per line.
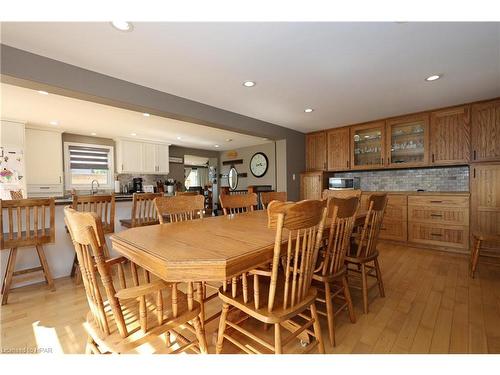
point(331, 272)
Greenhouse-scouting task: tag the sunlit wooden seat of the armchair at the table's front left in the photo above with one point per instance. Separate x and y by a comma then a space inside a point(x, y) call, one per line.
point(138, 341)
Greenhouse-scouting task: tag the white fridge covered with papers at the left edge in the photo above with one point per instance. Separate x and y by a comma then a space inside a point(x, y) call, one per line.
point(11, 171)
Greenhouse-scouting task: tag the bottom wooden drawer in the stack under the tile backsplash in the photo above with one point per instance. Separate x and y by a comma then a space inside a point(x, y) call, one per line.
point(455, 236)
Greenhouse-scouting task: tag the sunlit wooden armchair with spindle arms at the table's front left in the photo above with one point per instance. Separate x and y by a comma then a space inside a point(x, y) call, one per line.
point(138, 319)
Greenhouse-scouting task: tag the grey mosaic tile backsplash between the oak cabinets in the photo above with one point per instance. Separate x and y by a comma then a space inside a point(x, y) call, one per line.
point(428, 179)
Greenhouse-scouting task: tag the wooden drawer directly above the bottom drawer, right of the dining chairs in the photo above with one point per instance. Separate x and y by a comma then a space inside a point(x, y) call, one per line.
point(440, 215)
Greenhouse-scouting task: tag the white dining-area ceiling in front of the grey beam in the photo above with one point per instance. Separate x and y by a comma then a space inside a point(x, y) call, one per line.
point(347, 72)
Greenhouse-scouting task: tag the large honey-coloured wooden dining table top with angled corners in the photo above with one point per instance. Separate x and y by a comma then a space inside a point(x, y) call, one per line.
point(209, 249)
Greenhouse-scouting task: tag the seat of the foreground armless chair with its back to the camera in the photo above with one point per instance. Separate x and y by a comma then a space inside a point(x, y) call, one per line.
point(278, 314)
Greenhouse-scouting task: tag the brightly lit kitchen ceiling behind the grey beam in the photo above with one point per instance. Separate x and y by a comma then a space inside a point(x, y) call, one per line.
point(82, 117)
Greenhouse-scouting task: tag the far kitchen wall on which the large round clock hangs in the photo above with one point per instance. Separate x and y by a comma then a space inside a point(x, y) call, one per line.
point(246, 154)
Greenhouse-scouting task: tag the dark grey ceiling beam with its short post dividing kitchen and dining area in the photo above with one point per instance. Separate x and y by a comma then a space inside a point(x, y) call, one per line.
point(26, 69)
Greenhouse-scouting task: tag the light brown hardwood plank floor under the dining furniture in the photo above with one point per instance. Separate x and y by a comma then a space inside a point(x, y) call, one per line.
point(431, 306)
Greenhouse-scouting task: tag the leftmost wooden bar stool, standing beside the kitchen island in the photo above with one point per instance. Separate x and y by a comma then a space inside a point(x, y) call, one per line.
point(29, 223)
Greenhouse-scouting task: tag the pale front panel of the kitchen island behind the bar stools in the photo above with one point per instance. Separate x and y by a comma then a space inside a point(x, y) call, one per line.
point(60, 254)
